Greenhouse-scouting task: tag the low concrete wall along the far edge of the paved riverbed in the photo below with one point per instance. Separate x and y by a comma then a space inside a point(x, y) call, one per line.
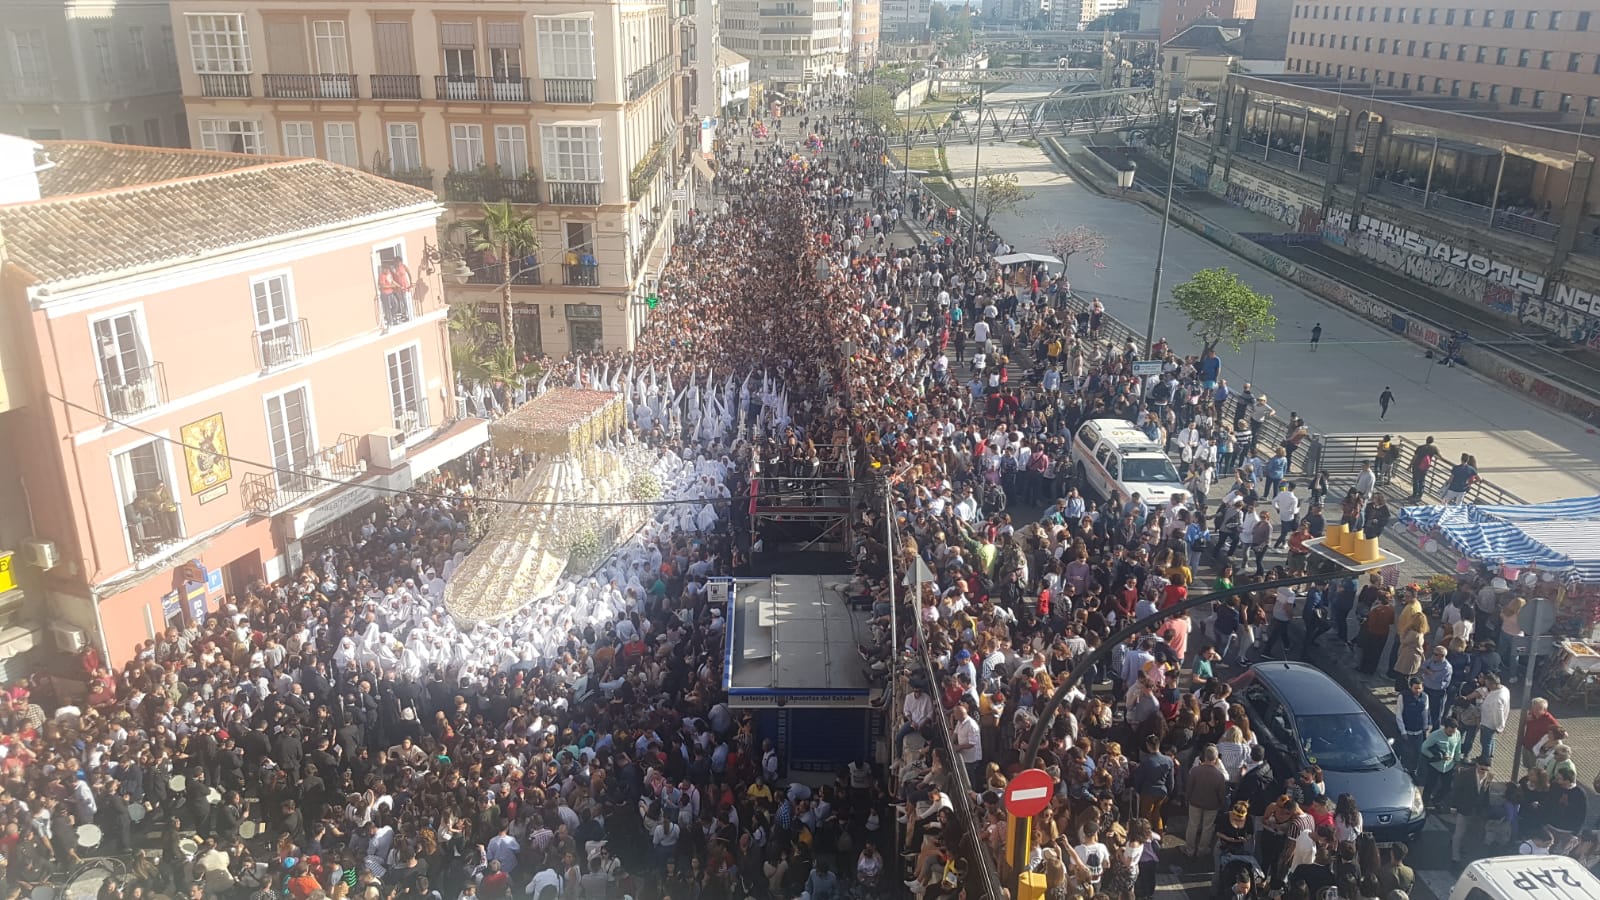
point(1102, 177)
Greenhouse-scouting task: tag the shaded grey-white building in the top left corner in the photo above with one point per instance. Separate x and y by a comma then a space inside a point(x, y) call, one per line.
point(92, 71)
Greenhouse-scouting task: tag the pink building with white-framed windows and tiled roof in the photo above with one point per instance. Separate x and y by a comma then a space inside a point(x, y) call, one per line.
point(215, 358)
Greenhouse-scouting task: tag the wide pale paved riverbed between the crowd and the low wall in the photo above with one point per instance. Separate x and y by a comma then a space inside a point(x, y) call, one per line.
point(1532, 452)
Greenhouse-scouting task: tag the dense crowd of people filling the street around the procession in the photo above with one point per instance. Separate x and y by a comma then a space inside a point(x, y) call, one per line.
point(338, 734)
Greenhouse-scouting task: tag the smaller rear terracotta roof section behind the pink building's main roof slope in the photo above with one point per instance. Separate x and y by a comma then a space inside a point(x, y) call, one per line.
point(82, 167)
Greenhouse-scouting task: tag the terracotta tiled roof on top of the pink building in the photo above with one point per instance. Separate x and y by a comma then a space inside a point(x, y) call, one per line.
point(230, 203)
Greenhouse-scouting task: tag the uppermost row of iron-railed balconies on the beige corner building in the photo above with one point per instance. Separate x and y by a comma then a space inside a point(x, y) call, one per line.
point(466, 89)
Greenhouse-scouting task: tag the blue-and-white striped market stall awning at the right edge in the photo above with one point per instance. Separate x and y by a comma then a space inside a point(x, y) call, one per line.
point(1561, 537)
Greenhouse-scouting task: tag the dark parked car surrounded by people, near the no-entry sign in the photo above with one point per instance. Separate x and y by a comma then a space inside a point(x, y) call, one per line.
point(1303, 718)
